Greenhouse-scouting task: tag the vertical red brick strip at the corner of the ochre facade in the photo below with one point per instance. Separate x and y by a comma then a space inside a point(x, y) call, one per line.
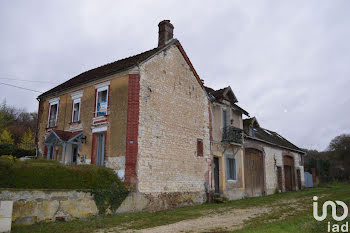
point(132, 128)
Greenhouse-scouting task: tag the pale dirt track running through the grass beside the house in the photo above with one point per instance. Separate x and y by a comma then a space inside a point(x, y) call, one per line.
point(225, 219)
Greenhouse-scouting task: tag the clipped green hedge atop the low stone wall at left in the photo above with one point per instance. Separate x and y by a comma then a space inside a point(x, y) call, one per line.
point(48, 174)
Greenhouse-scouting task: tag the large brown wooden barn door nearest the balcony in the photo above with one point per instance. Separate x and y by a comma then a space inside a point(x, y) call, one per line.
point(254, 172)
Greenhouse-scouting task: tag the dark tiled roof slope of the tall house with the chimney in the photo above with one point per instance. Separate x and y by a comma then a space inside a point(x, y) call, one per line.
point(106, 70)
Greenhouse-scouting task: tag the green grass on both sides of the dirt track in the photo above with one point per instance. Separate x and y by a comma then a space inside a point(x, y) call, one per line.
point(295, 216)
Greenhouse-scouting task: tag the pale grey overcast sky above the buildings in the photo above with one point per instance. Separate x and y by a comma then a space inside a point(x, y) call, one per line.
point(288, 62)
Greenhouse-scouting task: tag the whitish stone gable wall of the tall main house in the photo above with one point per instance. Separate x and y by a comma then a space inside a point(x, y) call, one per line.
point(173, 115)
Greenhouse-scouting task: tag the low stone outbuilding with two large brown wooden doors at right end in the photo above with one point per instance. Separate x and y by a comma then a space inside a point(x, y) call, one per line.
point(272, 162)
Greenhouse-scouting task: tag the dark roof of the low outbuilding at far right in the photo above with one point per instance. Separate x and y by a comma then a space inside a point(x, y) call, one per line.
point(267, 135)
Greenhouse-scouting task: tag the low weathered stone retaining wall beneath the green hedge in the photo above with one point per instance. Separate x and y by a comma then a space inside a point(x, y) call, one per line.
point(31, 206)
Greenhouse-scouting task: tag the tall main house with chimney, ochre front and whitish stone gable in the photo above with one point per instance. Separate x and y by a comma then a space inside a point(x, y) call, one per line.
point(144, 116)
